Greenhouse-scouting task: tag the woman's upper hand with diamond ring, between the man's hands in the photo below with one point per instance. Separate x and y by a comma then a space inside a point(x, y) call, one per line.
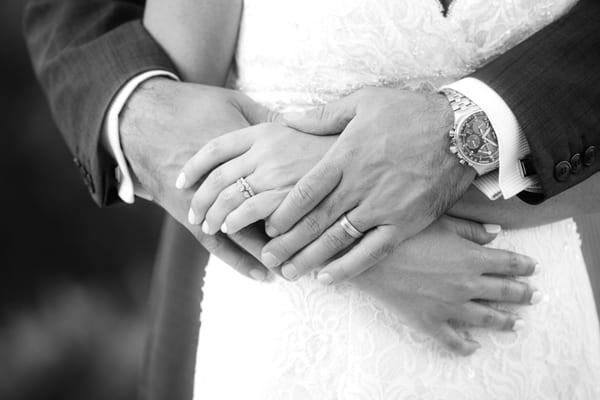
point(271, 158)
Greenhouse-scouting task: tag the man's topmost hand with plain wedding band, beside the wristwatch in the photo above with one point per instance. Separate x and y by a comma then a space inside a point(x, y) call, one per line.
point(391, 172)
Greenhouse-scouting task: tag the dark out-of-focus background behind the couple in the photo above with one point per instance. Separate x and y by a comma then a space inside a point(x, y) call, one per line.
point(74, 278)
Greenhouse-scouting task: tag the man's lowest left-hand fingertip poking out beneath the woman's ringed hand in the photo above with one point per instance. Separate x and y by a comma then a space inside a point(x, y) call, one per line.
point(240, 259)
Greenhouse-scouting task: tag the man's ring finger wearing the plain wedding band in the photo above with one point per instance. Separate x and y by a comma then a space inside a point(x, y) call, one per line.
point(333, 241)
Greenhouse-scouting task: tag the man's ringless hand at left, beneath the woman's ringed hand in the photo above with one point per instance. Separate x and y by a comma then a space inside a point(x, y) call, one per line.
point(164, 124)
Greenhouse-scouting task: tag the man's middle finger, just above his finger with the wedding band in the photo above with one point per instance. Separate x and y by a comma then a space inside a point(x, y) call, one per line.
point(309, 228)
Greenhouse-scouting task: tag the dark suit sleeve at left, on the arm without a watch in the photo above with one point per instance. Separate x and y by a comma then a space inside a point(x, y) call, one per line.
point(83, 52)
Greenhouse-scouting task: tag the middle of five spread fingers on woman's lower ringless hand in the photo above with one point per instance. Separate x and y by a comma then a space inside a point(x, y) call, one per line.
point(507, 291)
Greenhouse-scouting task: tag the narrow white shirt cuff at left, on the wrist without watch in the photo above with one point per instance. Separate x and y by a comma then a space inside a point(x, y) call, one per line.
point(128, 187)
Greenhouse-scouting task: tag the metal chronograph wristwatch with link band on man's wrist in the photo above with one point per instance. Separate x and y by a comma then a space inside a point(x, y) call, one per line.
point(472, 138)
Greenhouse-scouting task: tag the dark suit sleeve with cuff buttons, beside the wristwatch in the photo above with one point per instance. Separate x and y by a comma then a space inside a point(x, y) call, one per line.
point(551, 82)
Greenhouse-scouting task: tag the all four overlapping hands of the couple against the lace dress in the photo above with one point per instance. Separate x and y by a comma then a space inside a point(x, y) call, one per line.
point(378, 156)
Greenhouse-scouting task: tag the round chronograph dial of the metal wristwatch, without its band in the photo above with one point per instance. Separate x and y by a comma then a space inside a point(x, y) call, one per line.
point(477, 141)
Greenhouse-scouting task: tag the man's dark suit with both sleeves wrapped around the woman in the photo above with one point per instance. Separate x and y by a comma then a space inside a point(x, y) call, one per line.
point(84, 50)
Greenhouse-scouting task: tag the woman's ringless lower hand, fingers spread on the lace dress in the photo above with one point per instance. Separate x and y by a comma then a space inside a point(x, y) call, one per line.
point(442, 278)
